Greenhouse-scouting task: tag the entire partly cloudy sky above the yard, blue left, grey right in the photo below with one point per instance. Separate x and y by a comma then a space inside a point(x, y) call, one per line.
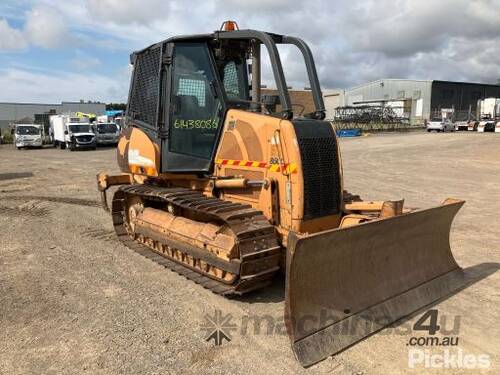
point(69, 50)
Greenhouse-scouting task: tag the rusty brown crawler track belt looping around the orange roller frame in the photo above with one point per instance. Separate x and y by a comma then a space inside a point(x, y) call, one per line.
point(247, 223)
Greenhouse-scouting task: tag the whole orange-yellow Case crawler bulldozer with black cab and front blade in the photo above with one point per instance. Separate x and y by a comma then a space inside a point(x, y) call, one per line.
point(227, 187)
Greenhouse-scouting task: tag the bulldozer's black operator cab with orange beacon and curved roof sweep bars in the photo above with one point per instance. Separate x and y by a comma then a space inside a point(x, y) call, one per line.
point(183, 87)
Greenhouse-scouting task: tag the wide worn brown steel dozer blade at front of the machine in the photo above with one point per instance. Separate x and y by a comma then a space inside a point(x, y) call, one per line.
point(344, 284)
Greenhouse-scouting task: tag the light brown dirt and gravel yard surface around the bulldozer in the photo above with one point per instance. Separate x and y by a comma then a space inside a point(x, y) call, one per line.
point(74, 300)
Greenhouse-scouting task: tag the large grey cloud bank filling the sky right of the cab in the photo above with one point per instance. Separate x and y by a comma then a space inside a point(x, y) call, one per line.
point(356, 42)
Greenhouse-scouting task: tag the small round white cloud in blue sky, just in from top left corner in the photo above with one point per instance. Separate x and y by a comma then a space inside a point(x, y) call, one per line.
point(45, 27)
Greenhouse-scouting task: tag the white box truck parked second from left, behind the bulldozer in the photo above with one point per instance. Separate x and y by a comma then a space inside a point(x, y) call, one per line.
point(72, 132)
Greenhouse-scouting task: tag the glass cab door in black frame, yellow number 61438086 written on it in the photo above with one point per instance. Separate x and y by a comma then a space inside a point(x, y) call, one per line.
point(194, 110)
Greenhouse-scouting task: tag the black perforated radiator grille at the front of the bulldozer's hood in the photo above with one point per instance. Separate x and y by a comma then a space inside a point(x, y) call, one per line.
point(320, 164)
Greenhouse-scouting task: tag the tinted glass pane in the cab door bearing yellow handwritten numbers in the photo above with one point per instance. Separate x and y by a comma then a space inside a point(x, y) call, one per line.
point(195, 108)
